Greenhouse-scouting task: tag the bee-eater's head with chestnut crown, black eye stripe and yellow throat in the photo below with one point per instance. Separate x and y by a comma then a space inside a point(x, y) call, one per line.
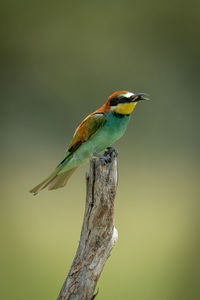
point(124, 102)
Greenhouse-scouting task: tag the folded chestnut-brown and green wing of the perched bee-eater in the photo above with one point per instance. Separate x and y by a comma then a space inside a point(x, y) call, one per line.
point(86, 129)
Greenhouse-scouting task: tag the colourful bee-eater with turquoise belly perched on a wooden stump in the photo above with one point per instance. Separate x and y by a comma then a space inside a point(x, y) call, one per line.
point(97, 132)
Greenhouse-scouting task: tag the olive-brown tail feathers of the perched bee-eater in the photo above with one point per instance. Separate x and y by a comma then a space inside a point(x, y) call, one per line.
point(54, 181)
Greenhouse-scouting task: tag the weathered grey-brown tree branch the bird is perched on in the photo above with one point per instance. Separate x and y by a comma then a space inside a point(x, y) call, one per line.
point(98, 235)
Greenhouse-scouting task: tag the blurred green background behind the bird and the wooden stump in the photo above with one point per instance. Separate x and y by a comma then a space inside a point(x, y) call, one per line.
point(59, 61)
